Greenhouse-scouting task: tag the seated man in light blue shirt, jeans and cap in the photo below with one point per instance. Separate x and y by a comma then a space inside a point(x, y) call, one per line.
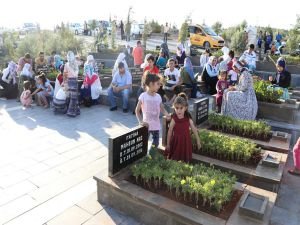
point(121, 86)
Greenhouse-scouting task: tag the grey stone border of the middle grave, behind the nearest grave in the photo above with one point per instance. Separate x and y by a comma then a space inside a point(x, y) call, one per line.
point(263, 176)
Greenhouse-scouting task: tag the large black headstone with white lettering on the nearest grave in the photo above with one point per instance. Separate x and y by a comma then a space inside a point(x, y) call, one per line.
point(127, 148)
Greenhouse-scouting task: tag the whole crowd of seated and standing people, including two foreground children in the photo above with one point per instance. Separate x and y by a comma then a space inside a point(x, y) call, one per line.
point(163, 81)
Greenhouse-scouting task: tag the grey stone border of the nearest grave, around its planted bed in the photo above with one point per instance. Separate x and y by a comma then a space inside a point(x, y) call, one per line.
point(153, 209)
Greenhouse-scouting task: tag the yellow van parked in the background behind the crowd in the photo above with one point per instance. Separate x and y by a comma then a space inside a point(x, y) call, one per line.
point(202, 36)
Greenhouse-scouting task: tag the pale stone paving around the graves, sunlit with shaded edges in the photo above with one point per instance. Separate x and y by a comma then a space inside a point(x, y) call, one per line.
point(47, 163)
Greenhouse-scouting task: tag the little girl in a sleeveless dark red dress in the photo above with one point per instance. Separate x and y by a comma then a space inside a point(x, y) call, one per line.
point(179, 142)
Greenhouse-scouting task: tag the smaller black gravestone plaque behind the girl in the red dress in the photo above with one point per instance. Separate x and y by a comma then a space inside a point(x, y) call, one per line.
point(200, 113)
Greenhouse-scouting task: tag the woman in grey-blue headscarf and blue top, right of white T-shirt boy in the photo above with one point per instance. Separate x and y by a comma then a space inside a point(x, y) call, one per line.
point(188, 77)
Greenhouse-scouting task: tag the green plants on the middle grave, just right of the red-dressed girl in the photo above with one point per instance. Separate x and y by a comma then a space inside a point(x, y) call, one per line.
point(227, 148)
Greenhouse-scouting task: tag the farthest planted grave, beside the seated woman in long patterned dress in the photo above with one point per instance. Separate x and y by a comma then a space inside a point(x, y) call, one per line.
point(258, 131)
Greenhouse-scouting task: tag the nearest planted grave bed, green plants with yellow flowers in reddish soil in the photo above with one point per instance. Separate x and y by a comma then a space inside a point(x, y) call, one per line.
point(203, 188)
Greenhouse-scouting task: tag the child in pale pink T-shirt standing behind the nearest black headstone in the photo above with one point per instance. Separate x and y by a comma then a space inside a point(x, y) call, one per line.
point(151, 105)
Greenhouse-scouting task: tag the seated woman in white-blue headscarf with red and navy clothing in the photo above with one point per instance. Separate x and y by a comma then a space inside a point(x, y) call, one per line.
point(91, 87)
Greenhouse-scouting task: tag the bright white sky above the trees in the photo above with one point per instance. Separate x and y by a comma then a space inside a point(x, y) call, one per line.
point(49, 13)
